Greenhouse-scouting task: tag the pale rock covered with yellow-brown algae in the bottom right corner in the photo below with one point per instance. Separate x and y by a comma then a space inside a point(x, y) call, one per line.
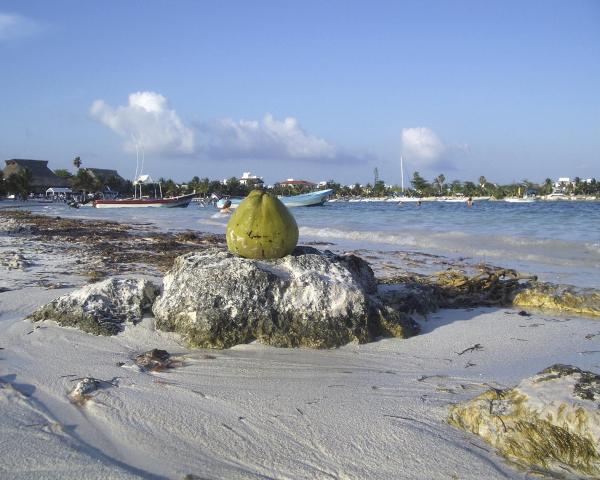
point(550, 421)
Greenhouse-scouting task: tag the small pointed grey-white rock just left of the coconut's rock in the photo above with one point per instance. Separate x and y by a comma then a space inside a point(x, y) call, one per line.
point(101, 308)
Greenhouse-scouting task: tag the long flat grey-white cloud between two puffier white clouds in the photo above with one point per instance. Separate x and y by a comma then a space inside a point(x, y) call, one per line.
point(268, 138)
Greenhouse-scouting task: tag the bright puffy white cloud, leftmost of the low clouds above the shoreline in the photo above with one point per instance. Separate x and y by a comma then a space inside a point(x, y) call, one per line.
point(148, 120)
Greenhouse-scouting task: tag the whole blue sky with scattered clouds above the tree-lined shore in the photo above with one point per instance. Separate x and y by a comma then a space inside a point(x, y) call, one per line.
point(312, 90)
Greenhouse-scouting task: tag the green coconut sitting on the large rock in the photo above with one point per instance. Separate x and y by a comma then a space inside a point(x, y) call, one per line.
point(262, 227)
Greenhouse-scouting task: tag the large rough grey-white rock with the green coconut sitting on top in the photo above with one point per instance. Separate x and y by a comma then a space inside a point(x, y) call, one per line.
point(309, 298)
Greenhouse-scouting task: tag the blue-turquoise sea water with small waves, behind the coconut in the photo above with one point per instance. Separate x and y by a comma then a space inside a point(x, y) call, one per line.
point(560, 241)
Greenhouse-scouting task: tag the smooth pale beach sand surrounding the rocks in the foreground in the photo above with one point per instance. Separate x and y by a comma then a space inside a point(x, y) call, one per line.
point(362, 411)
